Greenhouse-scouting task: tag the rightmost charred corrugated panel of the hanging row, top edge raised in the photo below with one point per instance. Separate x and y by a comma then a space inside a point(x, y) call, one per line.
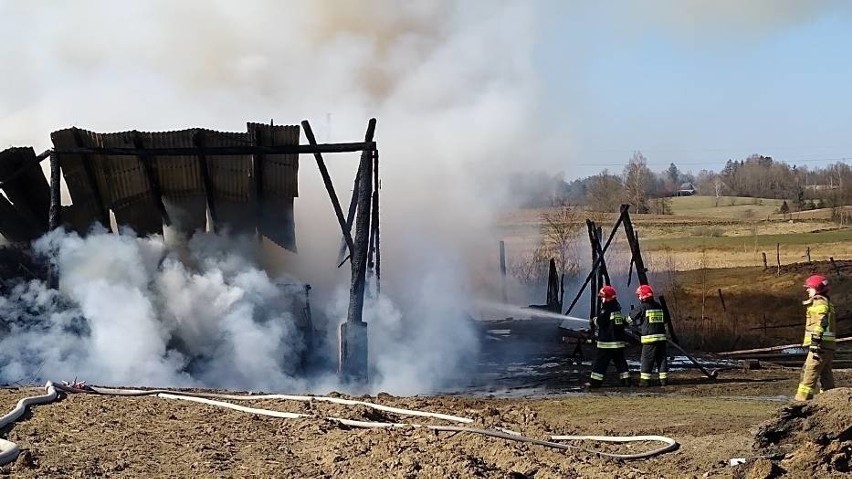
point(278, 183)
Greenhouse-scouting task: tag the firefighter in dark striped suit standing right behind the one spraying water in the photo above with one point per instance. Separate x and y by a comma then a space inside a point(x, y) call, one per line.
point(650, 321)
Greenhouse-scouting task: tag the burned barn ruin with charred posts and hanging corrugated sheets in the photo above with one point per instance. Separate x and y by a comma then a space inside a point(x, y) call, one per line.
point(192, 180)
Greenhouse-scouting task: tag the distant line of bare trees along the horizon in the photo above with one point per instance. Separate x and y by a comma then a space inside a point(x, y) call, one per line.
point(647, 191)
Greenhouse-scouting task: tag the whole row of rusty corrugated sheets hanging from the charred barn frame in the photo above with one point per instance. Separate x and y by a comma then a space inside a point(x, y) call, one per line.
point(126, 189)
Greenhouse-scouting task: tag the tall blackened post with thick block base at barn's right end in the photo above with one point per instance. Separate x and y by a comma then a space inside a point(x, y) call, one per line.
point(353, 333)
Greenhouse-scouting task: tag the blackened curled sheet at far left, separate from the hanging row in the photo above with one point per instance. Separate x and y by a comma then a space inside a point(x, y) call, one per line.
point(29, 190)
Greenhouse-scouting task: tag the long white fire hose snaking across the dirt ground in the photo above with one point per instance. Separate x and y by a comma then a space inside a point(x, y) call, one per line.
point(9, 450)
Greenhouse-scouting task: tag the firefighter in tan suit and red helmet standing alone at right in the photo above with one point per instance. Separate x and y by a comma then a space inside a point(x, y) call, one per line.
point(820, 329)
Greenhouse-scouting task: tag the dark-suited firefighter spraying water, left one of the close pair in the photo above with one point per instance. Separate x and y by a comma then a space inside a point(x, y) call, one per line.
point(609, 324)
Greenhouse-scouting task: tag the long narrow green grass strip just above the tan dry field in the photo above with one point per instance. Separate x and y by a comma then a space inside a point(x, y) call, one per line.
point(731, 242)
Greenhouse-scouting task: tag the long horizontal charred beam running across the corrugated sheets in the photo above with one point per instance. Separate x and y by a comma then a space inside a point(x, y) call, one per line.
point(226, 150)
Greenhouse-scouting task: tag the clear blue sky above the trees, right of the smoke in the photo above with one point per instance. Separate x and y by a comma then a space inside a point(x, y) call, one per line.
point(696, 89)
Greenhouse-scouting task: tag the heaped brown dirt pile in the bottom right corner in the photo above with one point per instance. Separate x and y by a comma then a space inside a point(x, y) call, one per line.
point(813, 438)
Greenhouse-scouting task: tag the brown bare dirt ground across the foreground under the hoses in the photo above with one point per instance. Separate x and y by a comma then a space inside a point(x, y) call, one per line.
point(95, 436)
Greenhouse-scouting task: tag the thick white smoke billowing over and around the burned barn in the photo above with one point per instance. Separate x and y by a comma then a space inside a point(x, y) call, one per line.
point(451, 85)
